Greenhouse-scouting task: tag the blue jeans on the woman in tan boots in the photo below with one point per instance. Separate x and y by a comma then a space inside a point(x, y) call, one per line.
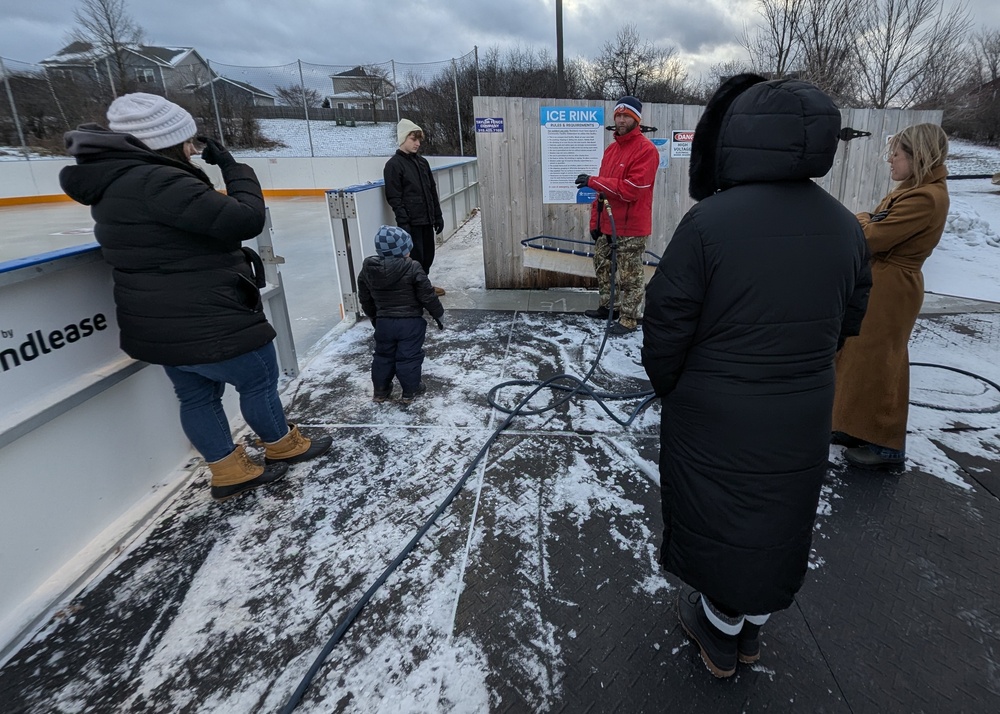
point(199, 388)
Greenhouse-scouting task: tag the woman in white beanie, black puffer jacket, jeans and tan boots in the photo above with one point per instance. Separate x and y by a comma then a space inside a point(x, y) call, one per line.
point(187, 294)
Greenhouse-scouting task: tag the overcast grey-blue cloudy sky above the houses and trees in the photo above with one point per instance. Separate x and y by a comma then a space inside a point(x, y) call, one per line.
point(351, 32)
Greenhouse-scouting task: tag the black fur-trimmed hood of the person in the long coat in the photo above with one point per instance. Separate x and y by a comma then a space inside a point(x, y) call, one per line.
point(753, 130)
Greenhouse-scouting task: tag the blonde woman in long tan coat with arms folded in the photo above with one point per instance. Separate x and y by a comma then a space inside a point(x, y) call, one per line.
point(873, 369)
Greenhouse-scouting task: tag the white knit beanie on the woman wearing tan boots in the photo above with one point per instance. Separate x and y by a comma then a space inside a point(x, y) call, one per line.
point(153, 120)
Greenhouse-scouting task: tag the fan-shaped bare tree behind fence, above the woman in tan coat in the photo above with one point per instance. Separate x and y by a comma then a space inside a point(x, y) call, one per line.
point(901, 40)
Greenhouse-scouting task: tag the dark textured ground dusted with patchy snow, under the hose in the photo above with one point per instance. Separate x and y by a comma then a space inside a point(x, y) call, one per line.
point(537, 589)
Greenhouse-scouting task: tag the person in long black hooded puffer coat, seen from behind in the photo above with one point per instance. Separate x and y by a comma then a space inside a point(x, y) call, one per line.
point(759, 287)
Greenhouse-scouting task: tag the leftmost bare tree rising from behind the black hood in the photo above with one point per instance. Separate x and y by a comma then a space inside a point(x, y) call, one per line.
point(774, 47)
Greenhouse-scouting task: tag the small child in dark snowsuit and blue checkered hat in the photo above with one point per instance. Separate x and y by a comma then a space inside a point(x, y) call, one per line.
point(394, 291)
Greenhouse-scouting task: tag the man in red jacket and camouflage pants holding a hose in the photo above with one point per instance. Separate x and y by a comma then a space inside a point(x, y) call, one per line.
point(628, 171)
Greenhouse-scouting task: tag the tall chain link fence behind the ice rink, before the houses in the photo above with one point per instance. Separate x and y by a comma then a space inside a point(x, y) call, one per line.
point(297, 109)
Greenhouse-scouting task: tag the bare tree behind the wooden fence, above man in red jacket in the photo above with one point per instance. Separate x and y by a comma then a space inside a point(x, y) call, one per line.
point(631, 65)
